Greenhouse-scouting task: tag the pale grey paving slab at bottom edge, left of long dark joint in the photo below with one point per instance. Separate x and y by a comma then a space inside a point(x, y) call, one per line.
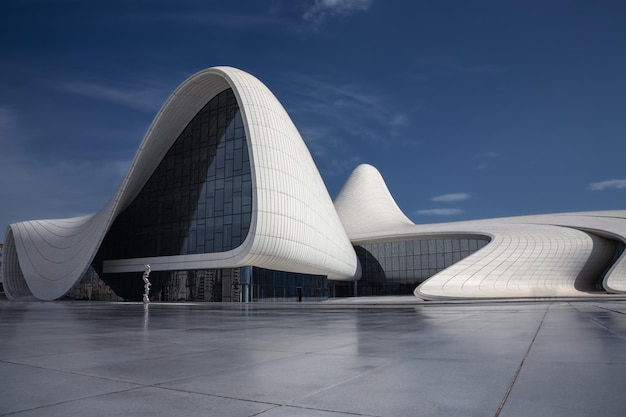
point(417, 387)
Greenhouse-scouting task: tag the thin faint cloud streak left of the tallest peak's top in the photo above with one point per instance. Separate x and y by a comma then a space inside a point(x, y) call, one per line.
point(141, 97)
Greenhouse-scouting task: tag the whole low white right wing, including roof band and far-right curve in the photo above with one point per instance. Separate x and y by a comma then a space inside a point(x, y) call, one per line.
point(569, 254)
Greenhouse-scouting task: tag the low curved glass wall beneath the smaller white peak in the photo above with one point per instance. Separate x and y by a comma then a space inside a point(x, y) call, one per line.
point(398, 267)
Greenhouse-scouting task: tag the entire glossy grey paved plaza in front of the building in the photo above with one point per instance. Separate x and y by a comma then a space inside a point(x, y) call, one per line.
point(366, 357)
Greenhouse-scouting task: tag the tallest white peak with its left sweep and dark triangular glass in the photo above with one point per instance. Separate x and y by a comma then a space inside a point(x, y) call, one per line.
point(221, 180)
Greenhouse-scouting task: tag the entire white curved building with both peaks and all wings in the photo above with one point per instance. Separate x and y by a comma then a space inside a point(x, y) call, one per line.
point(223, 198)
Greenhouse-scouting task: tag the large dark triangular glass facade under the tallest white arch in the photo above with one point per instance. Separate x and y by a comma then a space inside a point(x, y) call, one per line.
point(198, 200)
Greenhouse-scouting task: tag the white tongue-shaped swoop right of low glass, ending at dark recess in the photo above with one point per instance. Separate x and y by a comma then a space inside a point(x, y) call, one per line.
point(525, 260)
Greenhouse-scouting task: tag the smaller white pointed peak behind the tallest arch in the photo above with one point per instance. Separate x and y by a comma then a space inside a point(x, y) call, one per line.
point(366, 207)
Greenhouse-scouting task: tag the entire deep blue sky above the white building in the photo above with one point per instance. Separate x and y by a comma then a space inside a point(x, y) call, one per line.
point(469, 109)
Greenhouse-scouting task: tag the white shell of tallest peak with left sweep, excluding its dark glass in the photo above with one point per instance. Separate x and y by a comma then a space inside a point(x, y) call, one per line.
point(292, 225)
